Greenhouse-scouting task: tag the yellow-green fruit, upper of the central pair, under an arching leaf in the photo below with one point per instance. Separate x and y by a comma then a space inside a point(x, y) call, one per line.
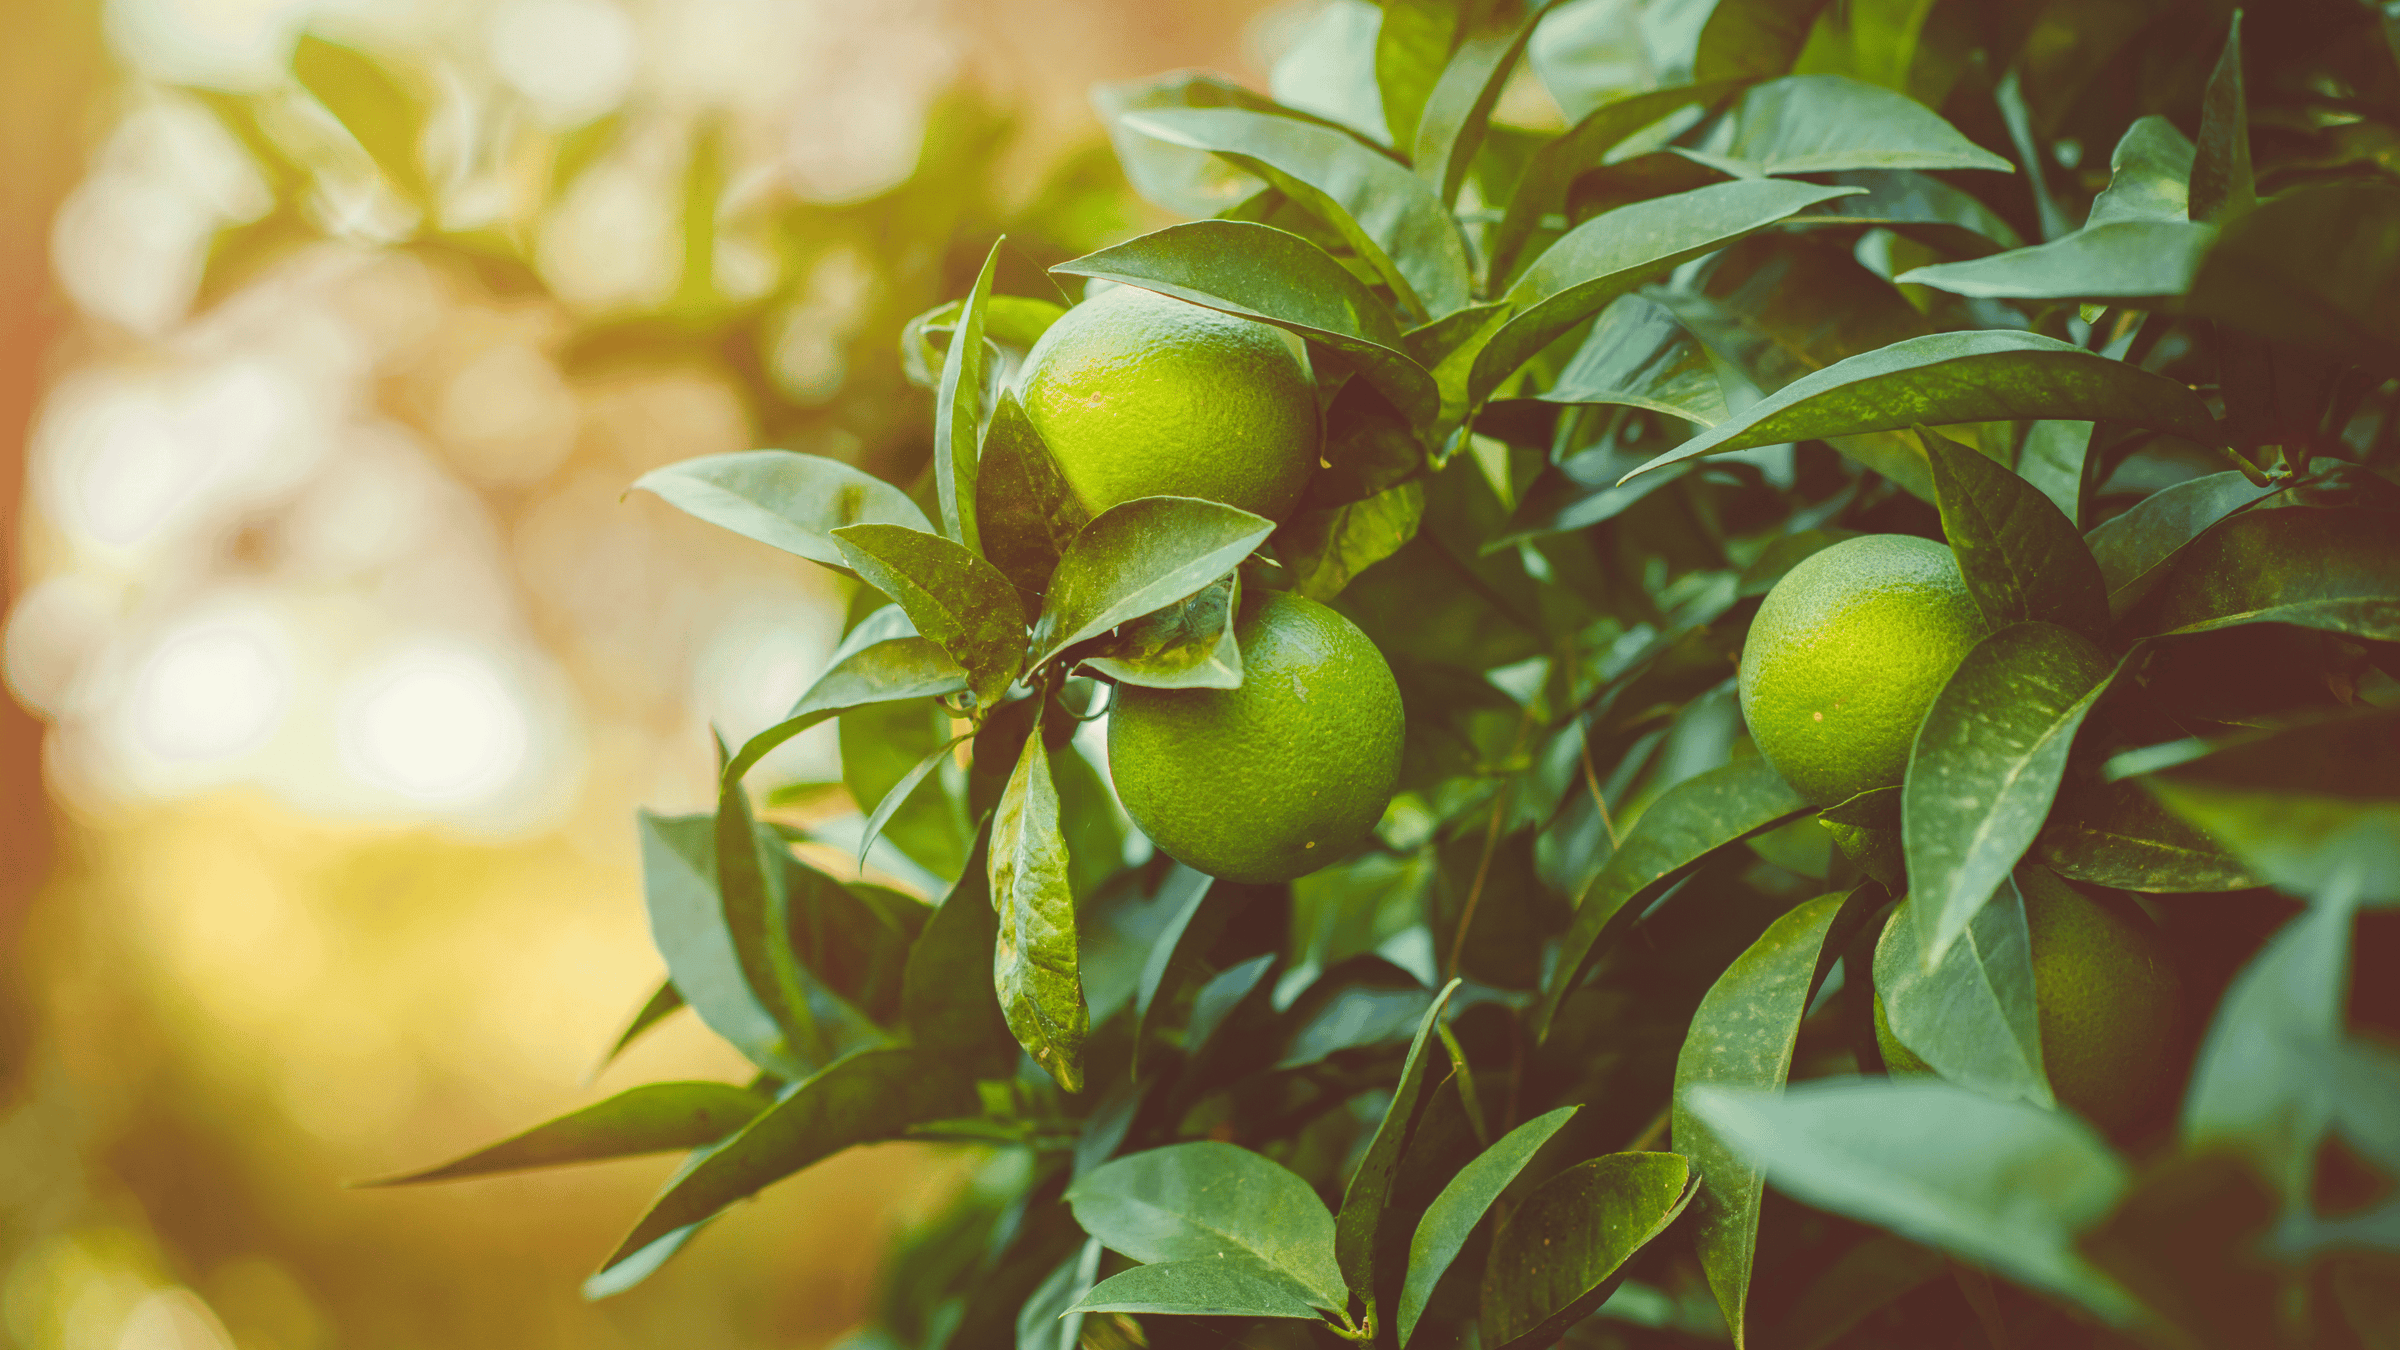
point(1141, 395)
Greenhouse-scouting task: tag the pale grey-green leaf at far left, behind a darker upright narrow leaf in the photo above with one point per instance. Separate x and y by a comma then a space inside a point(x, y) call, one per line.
point(690, 931)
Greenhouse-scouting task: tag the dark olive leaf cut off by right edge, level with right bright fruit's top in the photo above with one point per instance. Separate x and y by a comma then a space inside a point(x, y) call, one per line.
point(2327, 568)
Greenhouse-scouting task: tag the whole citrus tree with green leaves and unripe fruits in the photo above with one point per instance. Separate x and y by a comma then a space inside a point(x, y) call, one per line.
point(1775, 710)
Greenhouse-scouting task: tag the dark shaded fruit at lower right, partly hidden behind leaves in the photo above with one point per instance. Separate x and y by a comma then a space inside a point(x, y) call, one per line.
point(2106, 998)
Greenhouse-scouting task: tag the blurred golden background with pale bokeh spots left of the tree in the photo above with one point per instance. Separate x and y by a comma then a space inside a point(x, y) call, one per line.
point(340, 659)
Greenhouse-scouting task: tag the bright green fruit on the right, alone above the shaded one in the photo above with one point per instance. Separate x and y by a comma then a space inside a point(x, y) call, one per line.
point(1847, 655)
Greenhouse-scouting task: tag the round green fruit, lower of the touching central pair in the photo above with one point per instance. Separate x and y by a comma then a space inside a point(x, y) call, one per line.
point(1280, 775)
